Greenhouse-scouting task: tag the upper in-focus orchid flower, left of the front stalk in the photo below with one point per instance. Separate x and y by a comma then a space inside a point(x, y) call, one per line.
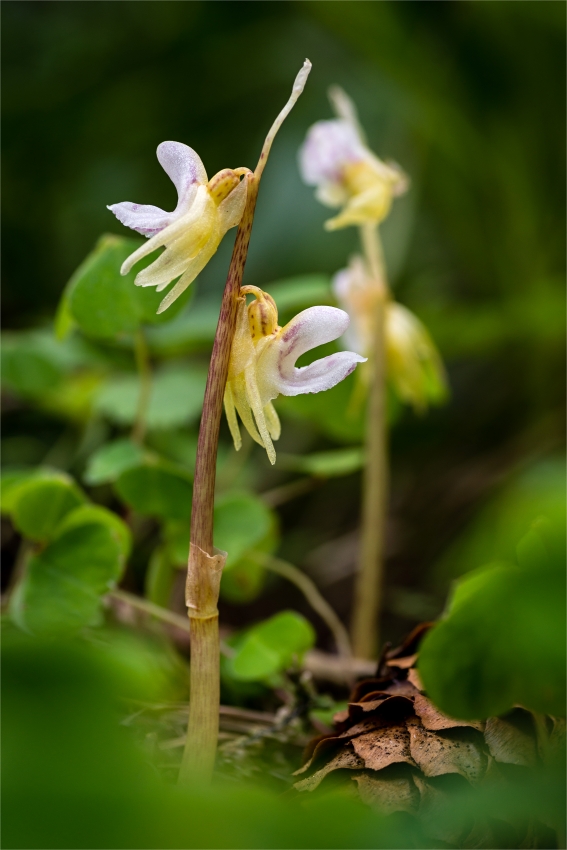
point(191, 234)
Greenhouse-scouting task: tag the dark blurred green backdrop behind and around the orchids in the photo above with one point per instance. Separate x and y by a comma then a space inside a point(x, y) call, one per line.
point(468, 97)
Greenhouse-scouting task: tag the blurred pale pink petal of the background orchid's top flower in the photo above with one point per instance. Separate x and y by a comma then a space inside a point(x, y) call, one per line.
point(329, 146)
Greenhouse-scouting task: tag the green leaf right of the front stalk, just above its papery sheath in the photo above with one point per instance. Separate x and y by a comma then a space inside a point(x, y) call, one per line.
point(240, 522)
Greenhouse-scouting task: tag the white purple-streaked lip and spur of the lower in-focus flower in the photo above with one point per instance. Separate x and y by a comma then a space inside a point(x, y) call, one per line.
point(310, 328)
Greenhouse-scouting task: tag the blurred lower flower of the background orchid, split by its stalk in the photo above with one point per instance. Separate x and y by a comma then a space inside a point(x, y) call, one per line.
point(414, 366)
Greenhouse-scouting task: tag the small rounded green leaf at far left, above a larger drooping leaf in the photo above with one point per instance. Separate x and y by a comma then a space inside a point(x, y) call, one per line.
point(41, 501)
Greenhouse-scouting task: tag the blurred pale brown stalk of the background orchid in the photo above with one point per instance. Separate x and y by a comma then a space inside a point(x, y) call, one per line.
point(368, 588)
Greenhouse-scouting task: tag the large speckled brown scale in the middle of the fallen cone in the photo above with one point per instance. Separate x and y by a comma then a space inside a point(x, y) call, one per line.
point(438, 753)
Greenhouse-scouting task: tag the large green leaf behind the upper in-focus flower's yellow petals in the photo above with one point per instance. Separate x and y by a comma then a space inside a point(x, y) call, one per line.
point(106, 304)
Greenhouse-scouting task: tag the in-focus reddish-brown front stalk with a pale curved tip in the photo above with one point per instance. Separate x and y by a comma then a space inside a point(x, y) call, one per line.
point(205, 565)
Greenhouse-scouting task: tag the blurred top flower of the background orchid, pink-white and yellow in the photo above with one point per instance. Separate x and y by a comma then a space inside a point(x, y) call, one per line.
point(347, 174)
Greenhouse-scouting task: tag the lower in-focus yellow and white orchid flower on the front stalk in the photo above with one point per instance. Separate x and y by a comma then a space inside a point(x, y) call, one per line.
point(262, 363)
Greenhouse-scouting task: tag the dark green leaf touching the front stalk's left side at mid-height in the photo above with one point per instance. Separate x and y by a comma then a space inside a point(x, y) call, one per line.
point(156, 488)
